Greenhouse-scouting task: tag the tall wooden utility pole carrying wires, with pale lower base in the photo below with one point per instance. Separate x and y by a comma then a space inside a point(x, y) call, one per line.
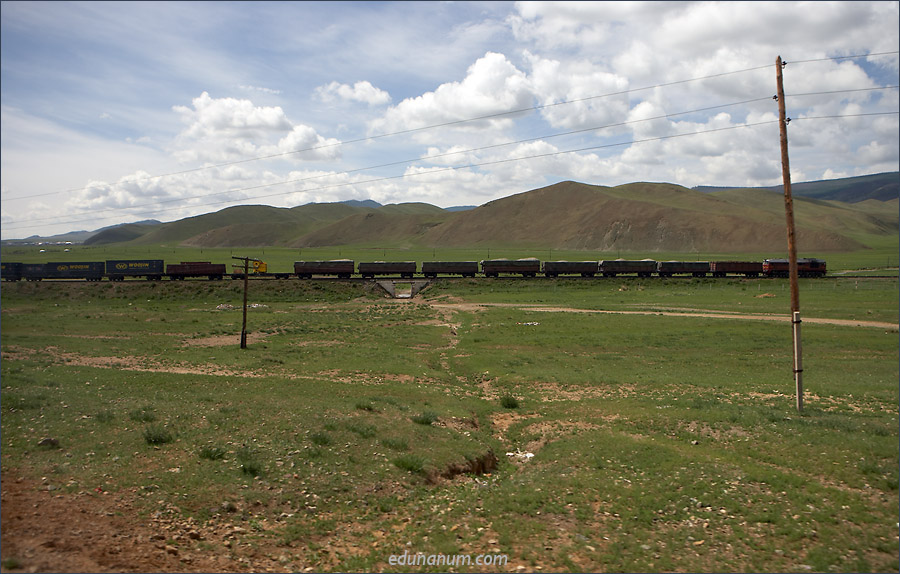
point(792, 243)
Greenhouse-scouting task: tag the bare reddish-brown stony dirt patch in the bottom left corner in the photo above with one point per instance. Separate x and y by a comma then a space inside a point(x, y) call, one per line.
point(101, 532)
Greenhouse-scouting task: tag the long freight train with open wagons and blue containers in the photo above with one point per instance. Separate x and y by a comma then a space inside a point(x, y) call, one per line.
point(157, 269)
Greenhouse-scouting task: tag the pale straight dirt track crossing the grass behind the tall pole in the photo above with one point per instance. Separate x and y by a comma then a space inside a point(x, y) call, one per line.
point(471, 307)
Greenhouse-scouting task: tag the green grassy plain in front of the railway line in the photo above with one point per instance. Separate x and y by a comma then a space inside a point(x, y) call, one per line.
point(357, 427)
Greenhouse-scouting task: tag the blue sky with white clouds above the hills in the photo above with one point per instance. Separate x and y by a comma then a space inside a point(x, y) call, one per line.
point(114, 112)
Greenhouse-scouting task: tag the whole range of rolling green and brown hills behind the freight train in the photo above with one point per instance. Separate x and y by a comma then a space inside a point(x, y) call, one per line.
point(646, 217)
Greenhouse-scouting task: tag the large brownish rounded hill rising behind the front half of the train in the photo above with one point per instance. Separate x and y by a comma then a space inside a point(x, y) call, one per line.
point(634, 217)
